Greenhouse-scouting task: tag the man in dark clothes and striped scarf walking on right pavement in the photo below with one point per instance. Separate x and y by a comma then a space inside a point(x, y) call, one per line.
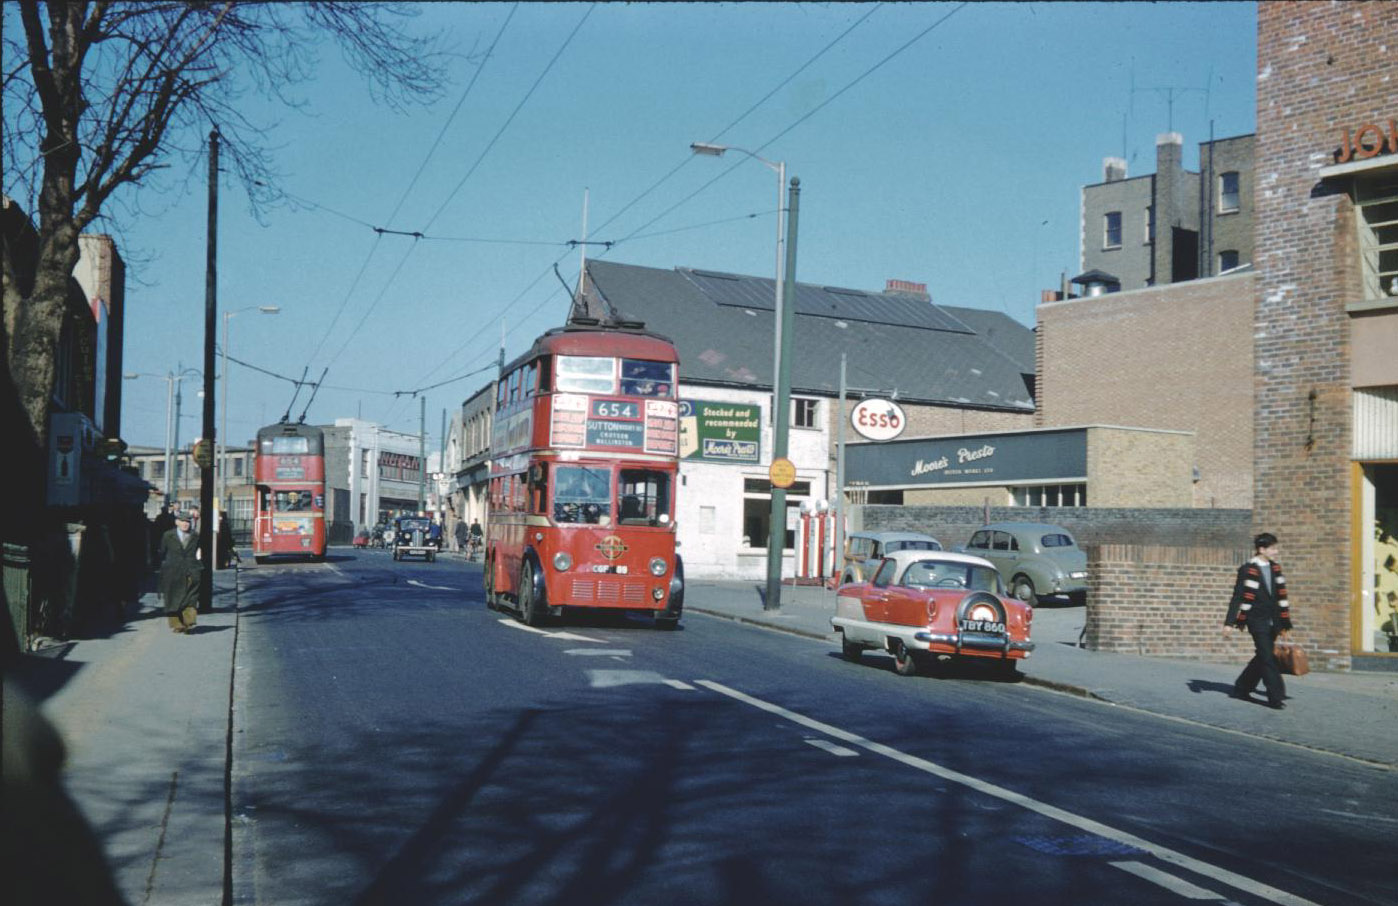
point(1260, 606)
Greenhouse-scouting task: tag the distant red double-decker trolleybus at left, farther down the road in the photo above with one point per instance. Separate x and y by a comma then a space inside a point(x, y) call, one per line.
point(290, 476)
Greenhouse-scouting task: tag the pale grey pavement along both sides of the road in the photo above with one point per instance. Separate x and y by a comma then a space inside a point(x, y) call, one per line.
point(146, 717)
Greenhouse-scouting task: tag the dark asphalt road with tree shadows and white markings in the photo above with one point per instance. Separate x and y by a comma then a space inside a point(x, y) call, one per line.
point(396, 742)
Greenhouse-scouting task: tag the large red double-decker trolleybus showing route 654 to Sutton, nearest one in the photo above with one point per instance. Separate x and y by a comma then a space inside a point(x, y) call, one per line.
point(585, 475)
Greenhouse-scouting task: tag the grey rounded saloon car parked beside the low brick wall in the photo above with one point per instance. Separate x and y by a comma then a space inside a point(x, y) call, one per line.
point(1037, 560)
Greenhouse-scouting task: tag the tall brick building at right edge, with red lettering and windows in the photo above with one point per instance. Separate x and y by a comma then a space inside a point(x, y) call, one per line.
point(1326, 325)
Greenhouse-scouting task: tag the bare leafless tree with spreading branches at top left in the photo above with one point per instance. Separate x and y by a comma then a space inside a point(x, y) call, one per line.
point(100, 99)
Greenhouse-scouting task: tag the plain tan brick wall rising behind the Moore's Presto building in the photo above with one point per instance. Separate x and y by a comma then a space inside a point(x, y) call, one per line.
point(1182, 363)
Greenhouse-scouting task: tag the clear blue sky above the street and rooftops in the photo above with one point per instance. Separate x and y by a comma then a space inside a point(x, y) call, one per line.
point(956, 163)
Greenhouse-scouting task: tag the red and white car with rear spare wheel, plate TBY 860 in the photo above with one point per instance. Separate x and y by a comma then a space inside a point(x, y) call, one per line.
point(928, 606)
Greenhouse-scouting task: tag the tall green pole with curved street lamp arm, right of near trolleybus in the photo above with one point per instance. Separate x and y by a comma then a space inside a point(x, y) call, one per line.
point(781, 359)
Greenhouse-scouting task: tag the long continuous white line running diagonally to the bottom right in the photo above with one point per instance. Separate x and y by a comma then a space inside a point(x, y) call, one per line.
point(1167, 855)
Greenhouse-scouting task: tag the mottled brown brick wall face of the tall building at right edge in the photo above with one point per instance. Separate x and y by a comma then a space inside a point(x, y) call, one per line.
point(1322, 68)
